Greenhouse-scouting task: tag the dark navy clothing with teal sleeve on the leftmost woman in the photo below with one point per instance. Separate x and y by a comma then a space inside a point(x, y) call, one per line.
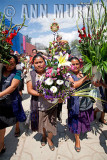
point(11, 109)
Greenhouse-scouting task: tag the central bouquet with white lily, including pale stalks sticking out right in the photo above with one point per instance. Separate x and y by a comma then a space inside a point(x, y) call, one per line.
point(55, 83)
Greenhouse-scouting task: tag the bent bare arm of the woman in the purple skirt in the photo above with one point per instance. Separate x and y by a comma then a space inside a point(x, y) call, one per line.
point(78, 83)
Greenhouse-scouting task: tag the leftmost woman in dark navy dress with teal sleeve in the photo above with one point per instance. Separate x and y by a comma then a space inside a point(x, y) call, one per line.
point(11, 109)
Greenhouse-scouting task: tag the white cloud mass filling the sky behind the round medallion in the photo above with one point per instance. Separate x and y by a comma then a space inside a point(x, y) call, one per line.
point(67, 26)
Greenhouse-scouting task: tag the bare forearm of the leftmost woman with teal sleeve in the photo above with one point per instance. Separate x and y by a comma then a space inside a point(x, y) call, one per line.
point(11, 88)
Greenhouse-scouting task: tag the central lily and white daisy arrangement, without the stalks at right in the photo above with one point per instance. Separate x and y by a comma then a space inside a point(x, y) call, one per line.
point(55, 83)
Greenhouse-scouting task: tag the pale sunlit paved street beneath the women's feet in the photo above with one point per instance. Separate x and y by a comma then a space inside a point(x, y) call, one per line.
point(28, 147)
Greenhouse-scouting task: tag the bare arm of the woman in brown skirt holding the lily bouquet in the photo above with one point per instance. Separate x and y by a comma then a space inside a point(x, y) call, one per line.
point(31, 90)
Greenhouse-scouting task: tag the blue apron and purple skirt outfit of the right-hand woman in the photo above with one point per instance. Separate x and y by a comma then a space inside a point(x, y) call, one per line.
point(80, 112)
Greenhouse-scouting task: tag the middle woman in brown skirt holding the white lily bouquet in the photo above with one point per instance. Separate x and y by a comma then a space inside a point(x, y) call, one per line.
point(42, 119)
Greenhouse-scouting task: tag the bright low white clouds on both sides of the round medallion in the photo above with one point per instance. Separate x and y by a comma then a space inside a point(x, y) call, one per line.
point(49, 38)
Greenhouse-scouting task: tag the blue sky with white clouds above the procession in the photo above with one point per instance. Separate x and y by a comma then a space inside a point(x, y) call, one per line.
point(40, 14)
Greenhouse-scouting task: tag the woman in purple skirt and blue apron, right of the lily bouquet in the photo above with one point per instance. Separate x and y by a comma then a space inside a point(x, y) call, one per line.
point(80, 109)
